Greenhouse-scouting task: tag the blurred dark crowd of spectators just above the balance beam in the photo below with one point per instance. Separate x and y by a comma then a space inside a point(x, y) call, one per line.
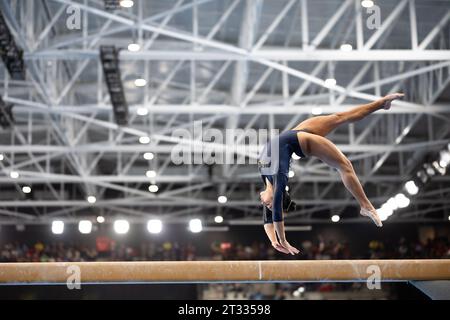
point(106, 250)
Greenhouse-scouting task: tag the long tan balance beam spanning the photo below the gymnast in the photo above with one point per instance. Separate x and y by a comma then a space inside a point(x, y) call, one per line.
point(224, 271)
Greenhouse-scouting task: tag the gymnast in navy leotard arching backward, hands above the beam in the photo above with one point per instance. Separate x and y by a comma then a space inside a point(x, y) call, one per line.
point(308, 139)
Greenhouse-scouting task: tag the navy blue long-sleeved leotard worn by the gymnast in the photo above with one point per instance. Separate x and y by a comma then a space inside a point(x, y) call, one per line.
point(274, 166)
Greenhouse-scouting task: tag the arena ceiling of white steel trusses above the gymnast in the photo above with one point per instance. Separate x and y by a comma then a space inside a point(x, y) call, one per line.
point(225, 64)
